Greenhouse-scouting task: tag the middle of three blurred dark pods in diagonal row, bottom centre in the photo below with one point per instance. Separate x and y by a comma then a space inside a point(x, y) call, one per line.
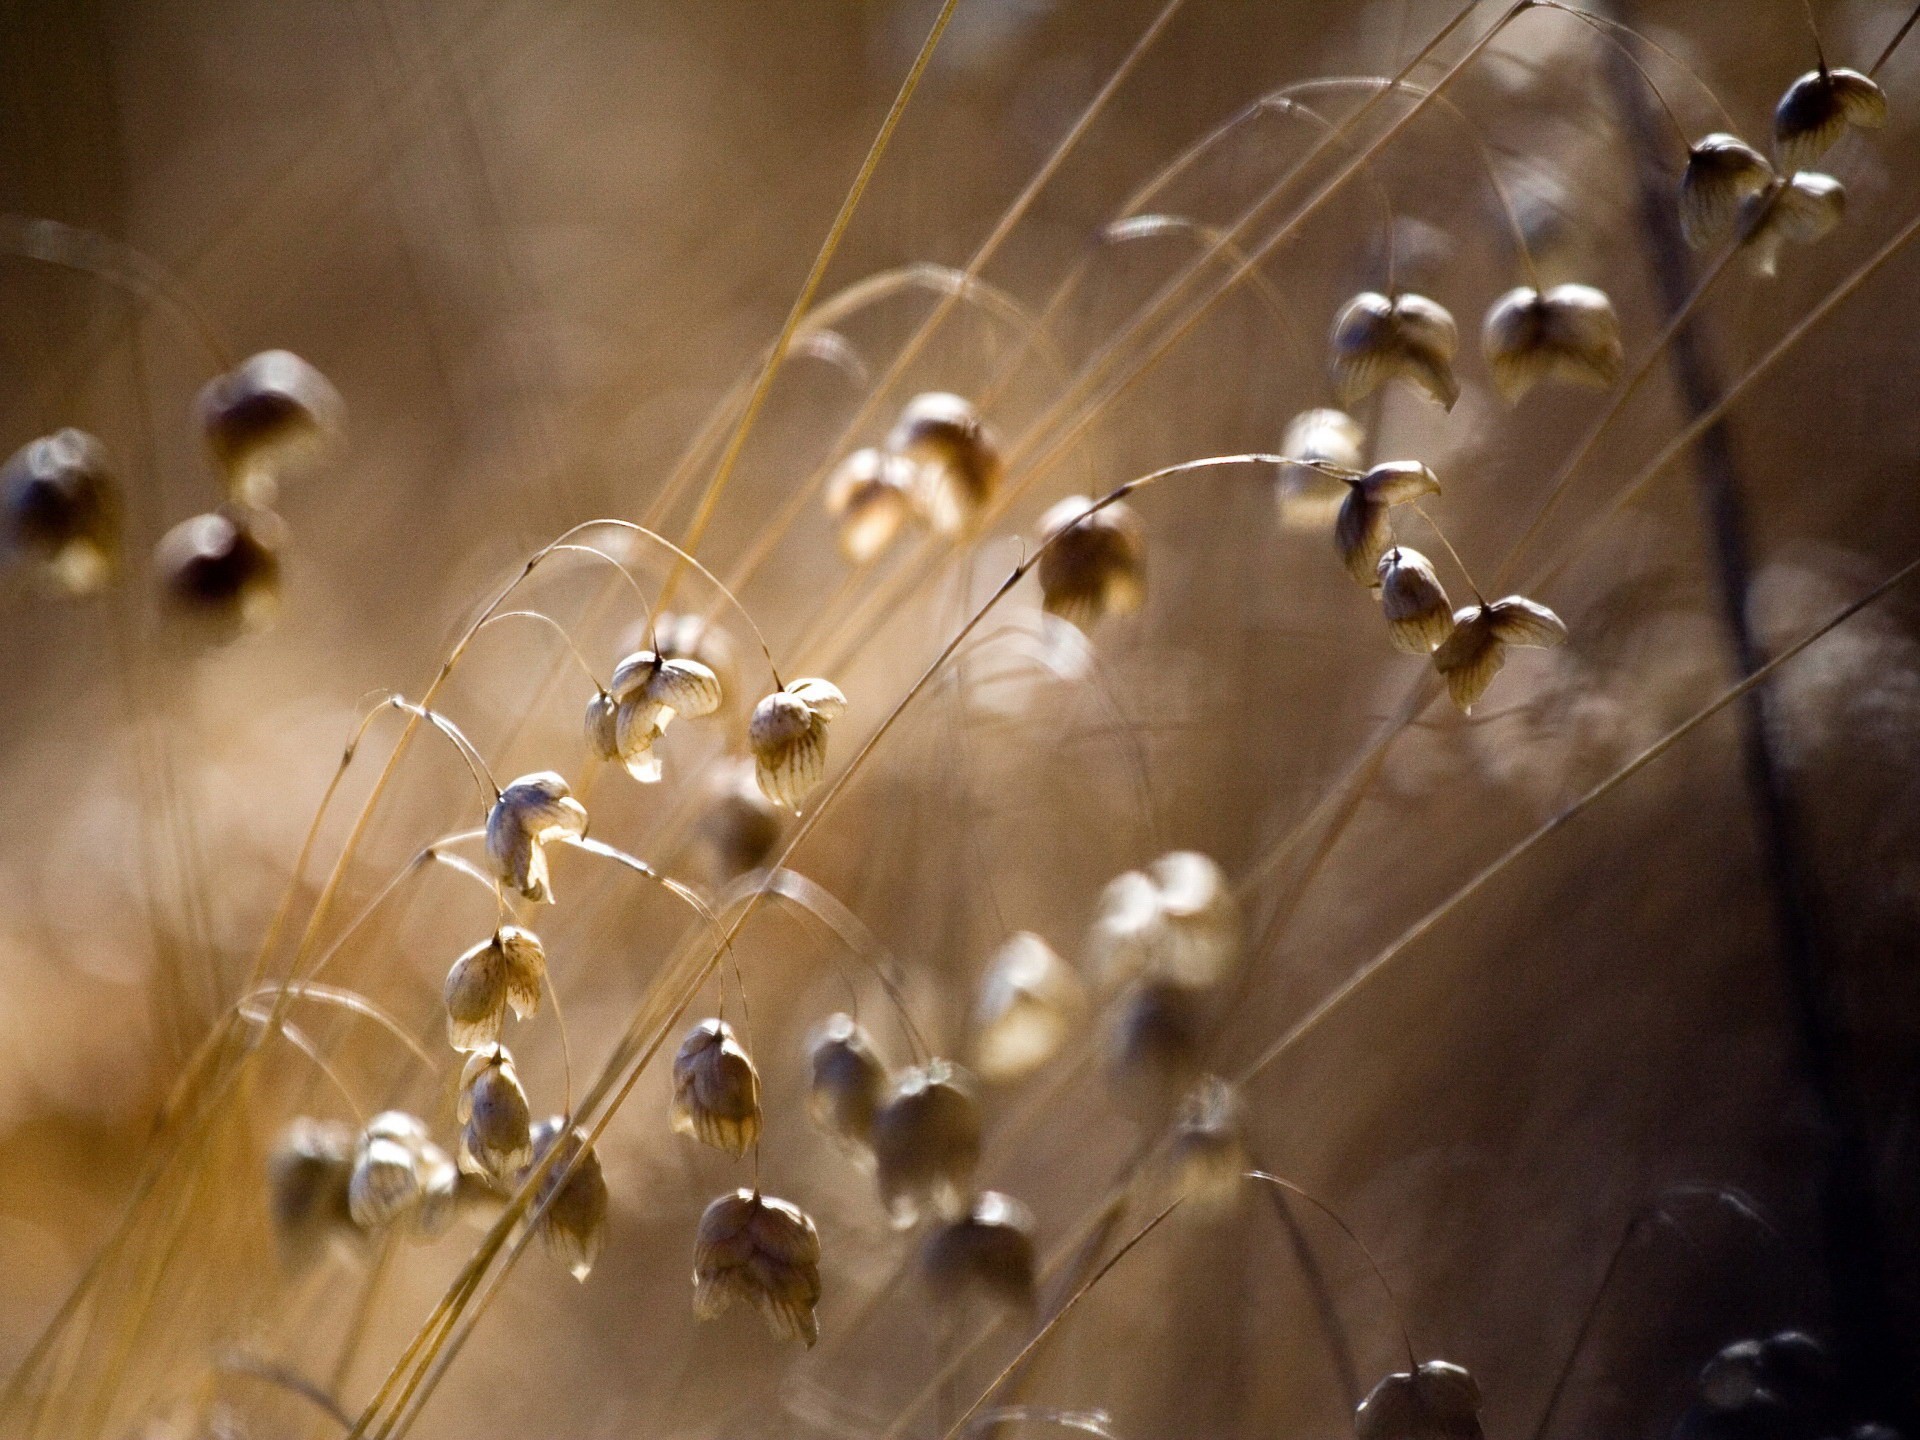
point(926, 1143)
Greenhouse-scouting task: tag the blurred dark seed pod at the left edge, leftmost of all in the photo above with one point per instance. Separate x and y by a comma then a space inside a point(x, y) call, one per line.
point(62, 510)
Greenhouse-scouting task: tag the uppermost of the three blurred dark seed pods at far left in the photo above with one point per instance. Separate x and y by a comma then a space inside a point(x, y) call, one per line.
point(266, 418)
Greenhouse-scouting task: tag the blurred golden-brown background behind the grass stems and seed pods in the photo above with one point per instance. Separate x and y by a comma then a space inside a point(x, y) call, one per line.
point(533, 247)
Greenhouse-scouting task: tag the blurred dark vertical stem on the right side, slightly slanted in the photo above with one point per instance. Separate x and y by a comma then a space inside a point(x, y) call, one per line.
point(1850, 1220)
